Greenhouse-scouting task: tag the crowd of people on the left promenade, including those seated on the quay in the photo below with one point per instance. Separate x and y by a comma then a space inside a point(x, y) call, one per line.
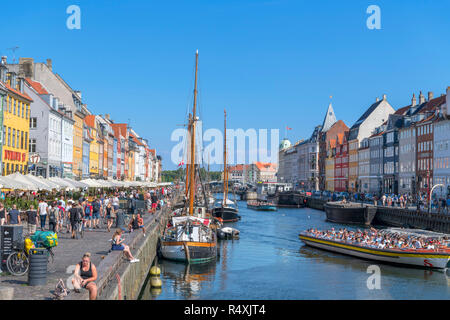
point(63, 215)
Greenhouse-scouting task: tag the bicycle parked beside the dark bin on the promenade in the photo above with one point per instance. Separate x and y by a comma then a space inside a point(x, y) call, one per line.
point(18, 262)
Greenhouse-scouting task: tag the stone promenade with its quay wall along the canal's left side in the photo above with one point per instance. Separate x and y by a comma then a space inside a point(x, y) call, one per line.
point(69, 252)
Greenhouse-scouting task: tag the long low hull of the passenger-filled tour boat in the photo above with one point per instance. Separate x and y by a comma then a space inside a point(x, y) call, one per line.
point(418, 258)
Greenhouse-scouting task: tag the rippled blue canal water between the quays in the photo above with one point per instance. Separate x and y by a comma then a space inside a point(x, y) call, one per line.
point(270, 262)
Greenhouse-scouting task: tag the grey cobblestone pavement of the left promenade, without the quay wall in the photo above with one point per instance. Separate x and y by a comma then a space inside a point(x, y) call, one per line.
point(68, 252)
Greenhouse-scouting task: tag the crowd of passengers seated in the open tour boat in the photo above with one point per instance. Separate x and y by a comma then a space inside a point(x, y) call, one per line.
point(378, 239)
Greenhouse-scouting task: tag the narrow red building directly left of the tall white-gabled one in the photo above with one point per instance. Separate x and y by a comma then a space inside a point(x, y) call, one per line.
point(341, 163)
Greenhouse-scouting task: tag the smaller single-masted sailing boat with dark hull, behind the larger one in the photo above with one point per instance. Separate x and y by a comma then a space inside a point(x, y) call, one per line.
point(225, 208)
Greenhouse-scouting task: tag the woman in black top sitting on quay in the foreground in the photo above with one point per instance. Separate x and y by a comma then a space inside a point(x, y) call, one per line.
point(85, 274)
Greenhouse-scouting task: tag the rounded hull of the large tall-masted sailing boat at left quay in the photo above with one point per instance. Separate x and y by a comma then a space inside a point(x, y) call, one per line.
point(197, 252)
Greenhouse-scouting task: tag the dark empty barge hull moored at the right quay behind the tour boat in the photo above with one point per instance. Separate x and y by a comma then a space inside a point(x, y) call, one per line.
point(351, 214)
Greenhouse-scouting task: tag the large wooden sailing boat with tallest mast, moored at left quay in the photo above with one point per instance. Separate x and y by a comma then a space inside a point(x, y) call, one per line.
point(191, 238)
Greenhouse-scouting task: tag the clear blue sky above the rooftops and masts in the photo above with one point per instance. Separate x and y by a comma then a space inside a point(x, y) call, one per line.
point(272, 64)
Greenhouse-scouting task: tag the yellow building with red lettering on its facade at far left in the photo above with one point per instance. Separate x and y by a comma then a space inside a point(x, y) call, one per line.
point(16, 127)
